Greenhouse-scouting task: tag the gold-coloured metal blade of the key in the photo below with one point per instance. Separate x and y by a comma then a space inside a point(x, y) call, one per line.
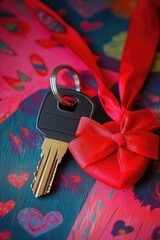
point(52, 154)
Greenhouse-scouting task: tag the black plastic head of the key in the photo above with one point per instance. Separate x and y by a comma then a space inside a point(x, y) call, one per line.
point(60, 123)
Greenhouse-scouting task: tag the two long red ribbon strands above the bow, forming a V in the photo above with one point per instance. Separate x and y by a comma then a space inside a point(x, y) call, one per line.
point(138, 54)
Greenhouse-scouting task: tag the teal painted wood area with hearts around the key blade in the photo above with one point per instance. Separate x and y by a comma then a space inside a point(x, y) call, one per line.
point(19, 153)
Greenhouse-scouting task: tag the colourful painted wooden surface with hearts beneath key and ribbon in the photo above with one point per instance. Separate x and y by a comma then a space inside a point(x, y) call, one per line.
point(78, 207)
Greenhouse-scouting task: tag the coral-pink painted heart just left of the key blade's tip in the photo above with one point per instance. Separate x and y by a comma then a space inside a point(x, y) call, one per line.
point(18, 180)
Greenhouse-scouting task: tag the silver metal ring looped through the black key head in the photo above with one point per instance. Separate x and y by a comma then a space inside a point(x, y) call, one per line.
point(53, 83)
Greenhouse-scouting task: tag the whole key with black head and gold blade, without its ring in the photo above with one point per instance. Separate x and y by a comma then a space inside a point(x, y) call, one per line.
point(58, 124)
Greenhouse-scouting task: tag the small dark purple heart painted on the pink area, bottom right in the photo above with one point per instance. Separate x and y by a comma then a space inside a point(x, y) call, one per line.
point(120, 228)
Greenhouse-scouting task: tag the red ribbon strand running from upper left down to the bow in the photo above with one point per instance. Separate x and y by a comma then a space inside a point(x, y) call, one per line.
point(74, 41)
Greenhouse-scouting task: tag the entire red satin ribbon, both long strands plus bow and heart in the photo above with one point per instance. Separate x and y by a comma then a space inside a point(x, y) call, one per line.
point(117, 153)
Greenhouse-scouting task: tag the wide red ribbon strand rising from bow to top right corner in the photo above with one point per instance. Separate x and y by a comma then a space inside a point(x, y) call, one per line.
point(139, 51)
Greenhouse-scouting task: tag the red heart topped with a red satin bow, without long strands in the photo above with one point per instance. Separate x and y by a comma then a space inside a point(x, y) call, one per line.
point(120, 151)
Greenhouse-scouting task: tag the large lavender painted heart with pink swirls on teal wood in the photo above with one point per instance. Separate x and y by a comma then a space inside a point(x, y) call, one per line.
point(35, 224)
